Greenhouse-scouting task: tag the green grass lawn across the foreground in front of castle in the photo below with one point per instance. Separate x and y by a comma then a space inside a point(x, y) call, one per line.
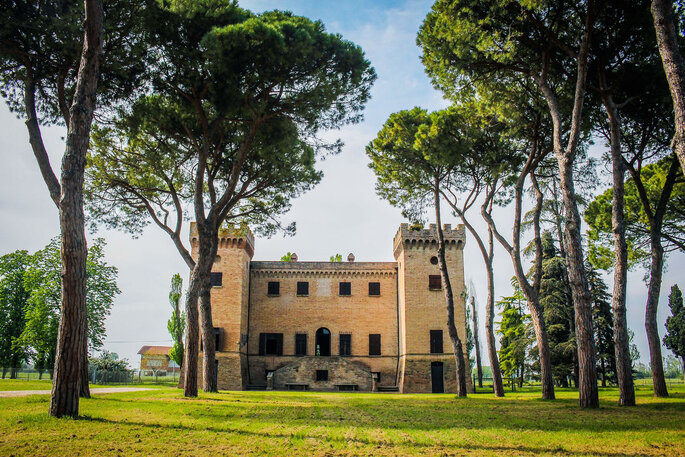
point(162, 422)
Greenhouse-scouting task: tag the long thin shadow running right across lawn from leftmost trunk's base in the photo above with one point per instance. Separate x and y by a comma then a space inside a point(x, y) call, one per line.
point(530, 450)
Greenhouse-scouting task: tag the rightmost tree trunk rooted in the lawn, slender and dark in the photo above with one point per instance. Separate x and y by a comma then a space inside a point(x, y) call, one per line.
point(656, 271)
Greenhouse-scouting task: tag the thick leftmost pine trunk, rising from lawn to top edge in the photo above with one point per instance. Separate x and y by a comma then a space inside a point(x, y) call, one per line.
point(69, 356)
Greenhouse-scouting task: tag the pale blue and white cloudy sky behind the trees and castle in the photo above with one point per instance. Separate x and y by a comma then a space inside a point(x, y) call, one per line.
point(342, 214)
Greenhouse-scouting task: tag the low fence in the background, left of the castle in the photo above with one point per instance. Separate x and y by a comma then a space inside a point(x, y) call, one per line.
point(99, 377)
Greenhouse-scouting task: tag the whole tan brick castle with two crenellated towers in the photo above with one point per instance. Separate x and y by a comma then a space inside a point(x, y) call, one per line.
point(368, 326)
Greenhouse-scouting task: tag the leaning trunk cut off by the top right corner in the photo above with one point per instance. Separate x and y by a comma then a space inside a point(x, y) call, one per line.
point(674, 67)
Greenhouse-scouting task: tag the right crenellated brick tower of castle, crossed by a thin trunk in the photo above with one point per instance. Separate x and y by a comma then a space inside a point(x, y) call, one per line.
point(426, 355)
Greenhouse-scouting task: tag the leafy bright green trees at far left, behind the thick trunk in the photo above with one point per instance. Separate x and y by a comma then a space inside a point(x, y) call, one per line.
point(31, 301)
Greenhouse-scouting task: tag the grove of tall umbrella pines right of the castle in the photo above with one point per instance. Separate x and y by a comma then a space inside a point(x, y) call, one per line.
point(533, 85)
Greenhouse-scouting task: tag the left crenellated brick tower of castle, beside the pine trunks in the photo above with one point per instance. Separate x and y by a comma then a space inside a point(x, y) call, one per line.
point(230, 296)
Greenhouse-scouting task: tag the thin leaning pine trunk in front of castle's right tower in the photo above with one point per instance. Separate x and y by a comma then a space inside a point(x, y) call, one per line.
point(449, 298)
